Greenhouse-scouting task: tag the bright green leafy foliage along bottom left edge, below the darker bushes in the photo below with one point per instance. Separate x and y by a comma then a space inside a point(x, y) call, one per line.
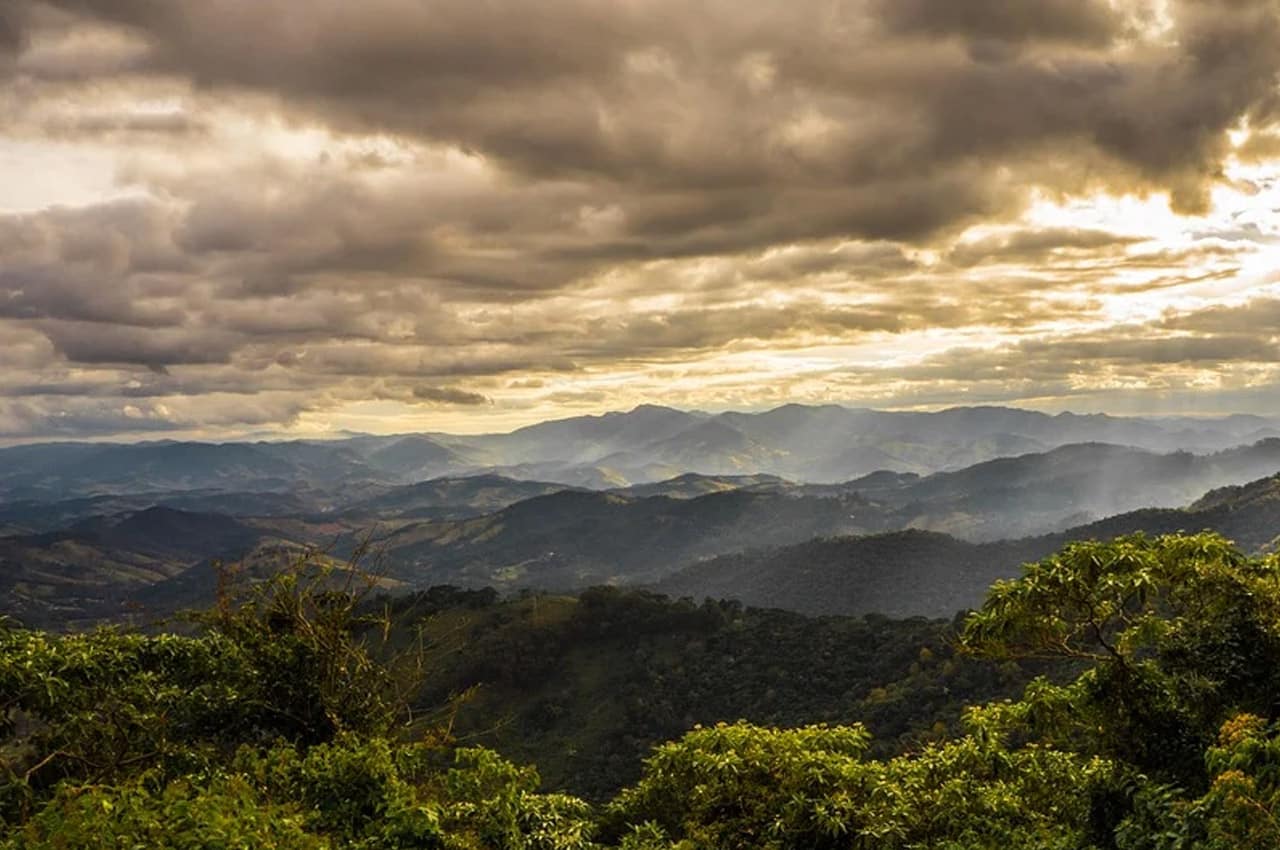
point(351, 793)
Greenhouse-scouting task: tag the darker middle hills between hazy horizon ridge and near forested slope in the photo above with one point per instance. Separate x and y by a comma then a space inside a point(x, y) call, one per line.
point(769, 549)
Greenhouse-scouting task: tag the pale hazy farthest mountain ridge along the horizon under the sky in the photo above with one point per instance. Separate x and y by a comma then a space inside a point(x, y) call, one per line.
point(644, 446)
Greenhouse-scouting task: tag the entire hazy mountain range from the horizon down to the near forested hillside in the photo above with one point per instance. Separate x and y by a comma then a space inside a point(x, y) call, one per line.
point(93, 532)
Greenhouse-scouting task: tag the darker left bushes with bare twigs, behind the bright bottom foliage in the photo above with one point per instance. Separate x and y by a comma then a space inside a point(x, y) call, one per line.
point(289, 664)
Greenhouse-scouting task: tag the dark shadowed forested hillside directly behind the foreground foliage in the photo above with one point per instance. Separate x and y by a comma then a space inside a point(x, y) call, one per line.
point(586, 687)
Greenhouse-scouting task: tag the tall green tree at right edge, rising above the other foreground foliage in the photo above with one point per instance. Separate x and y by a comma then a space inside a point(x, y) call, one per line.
point(1180, 634)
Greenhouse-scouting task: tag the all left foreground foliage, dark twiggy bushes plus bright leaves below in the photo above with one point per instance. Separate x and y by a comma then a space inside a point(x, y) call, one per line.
point(272, 728)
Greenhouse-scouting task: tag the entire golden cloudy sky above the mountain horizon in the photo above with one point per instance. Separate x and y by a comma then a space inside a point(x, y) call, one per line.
point(305, 217)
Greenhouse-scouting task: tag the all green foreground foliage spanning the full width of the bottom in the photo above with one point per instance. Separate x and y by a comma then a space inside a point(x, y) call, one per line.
point(292, 720)
